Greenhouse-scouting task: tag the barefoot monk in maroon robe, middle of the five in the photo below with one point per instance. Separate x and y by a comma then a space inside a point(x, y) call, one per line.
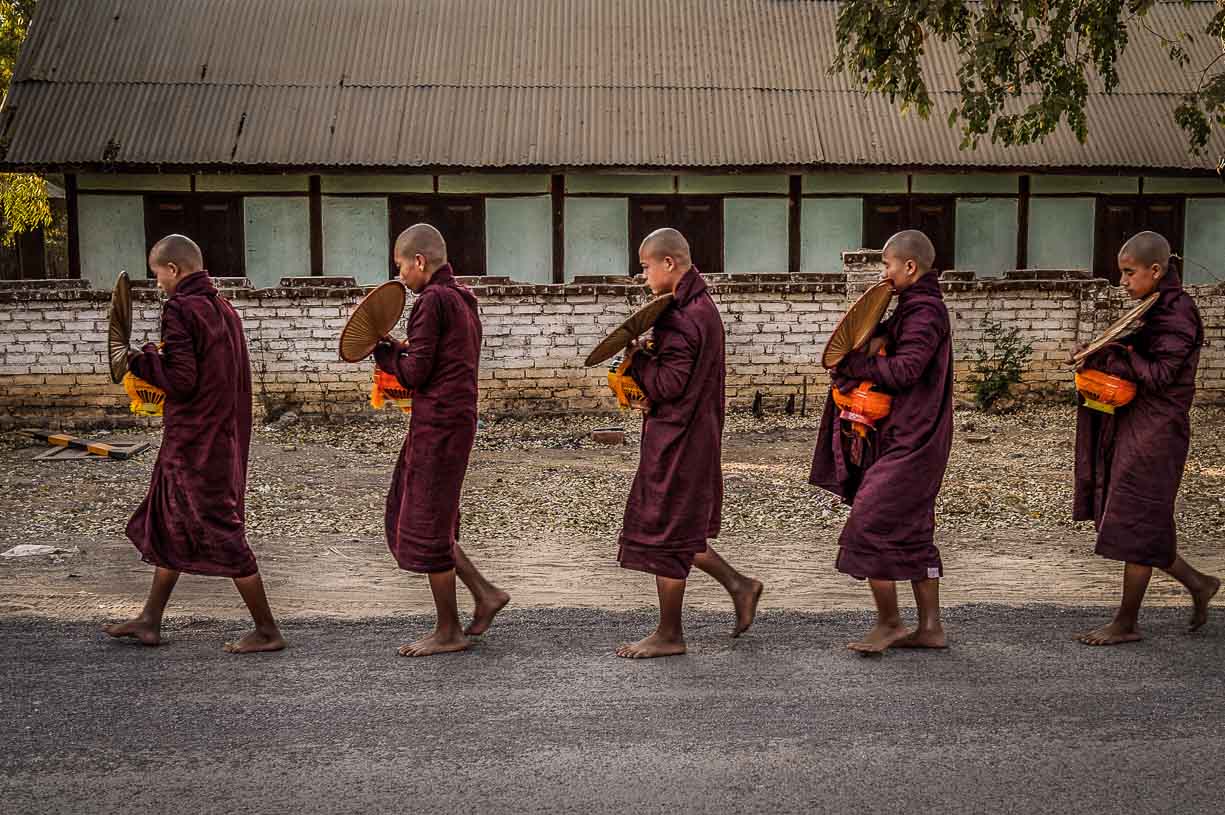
point(677, 499)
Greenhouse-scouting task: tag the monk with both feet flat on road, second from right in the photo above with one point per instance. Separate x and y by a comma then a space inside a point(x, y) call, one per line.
point(892, 492)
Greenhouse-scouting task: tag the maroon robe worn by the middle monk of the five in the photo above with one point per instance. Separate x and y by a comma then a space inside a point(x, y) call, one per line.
point(677, 499)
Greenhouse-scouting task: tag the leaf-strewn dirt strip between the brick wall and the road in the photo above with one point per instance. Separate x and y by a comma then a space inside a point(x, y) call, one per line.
point(543, 507)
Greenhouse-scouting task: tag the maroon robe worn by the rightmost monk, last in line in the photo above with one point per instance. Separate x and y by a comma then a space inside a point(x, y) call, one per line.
point(1129, 465)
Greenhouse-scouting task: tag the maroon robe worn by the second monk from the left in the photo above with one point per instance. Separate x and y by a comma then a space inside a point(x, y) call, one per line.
point(439, 366)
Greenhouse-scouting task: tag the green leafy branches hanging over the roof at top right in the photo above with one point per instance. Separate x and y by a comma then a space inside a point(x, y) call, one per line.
point(1026, 66)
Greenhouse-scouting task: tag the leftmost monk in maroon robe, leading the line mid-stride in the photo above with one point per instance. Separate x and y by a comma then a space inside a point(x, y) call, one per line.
point(193, 519)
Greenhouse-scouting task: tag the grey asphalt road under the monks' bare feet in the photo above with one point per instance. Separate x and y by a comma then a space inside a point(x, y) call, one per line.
point(541, 718)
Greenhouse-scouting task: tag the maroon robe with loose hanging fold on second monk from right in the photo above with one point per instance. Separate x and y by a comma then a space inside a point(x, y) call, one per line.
point(892, 495)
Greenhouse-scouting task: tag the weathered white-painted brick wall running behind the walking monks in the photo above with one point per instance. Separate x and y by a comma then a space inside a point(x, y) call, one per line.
point(53, 372)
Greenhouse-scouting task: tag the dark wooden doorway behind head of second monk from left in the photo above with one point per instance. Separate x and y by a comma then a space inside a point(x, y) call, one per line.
point(460, 220)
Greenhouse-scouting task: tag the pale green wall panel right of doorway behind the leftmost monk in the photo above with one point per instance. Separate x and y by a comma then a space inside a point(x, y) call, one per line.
point(277, 232)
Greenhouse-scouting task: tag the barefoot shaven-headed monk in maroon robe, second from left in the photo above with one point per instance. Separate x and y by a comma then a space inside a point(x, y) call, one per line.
point(439, 366)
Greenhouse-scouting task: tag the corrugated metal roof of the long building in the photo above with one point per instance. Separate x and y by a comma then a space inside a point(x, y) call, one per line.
point(472, 84)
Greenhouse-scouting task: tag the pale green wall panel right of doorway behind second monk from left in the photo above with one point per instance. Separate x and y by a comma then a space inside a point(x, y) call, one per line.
point(519, 238)
